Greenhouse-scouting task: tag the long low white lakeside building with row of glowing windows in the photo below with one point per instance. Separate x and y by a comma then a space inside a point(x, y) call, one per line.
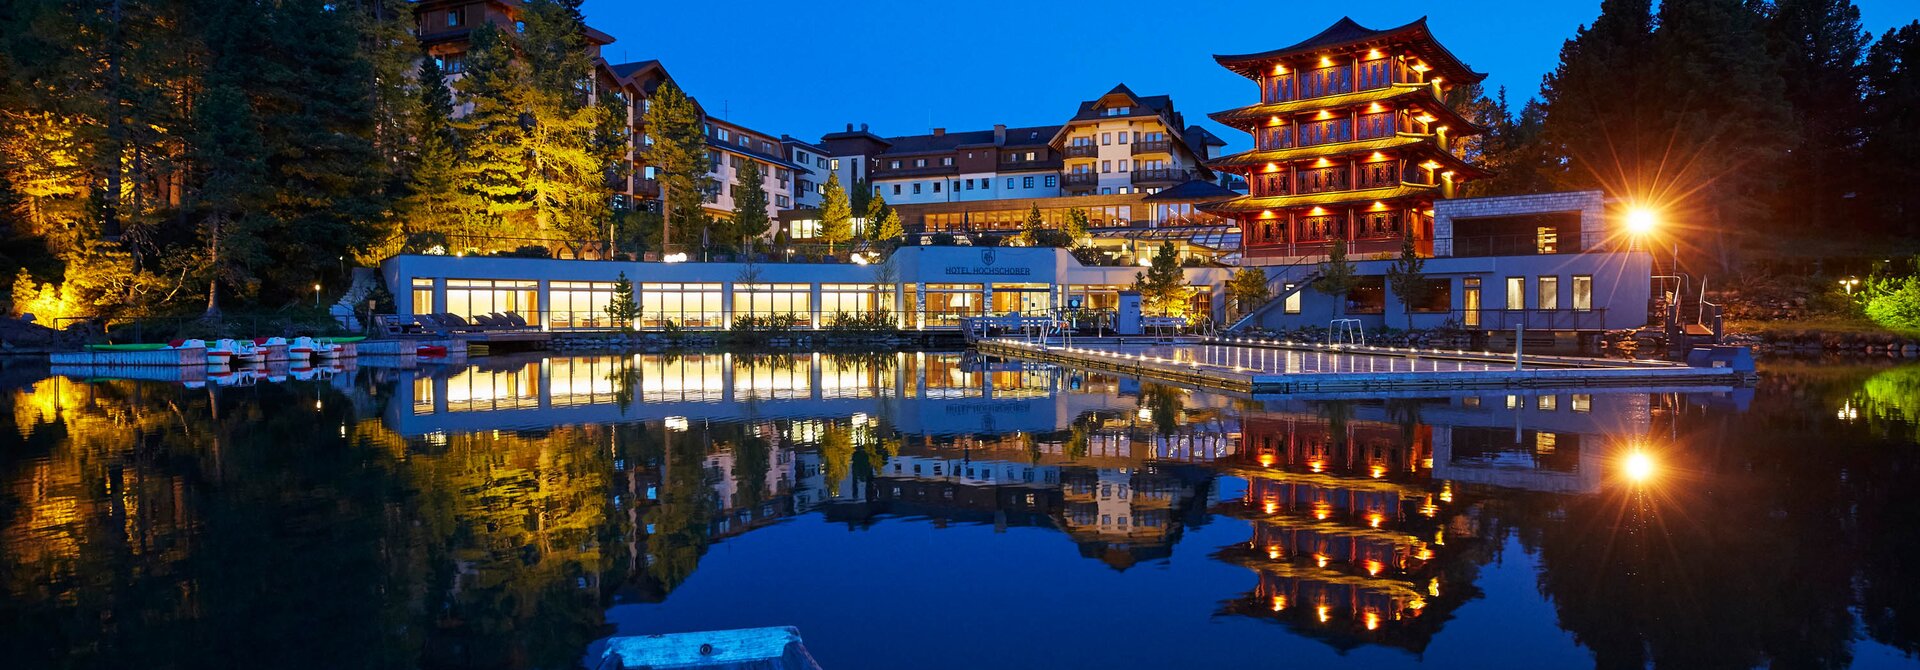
point(926, 287)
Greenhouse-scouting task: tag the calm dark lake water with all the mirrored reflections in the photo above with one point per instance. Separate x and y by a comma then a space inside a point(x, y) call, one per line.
point(944, 512)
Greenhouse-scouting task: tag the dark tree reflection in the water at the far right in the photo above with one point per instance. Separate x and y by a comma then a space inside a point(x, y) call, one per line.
point(1758, 544)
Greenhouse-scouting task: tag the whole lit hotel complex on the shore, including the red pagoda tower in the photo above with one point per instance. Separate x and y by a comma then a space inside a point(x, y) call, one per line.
point(1353, 143)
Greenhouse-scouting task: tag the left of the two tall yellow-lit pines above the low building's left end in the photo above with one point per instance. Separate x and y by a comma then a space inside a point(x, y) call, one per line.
point(492, 164)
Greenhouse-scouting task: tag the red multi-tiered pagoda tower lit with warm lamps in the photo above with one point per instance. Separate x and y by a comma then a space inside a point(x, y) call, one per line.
point(1351, 141)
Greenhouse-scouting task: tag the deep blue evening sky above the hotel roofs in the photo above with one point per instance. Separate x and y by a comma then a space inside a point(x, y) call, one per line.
point(909, 66)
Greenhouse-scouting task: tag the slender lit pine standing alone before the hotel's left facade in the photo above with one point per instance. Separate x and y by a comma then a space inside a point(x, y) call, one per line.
point(679, 155)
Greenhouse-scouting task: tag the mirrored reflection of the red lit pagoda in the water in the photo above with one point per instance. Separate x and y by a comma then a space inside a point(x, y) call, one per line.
point(1353, 538)
